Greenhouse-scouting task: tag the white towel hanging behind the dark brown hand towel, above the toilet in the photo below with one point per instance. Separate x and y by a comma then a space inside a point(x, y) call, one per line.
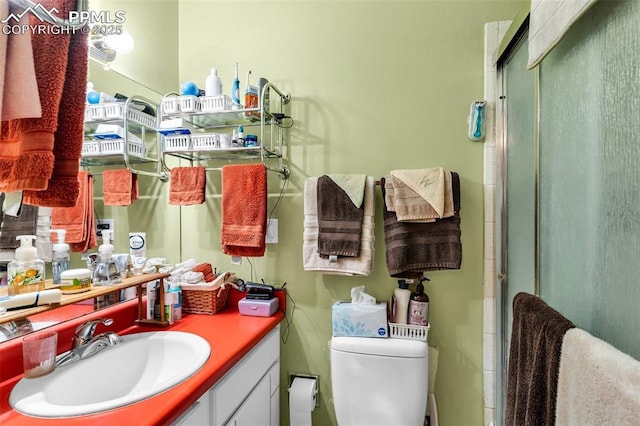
point(348, 266)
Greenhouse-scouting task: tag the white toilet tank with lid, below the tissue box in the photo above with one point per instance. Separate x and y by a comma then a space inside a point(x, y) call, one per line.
point(379, 381)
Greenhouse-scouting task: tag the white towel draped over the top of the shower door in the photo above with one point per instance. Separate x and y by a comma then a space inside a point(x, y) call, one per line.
point(548, 22)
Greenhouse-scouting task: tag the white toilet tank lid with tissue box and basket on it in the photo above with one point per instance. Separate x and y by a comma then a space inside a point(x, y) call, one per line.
point(399, 348)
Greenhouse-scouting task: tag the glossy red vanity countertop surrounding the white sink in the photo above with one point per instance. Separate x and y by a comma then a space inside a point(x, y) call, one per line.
point(230, 335)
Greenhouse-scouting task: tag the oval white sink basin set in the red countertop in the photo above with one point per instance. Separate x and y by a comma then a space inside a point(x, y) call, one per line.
point(142, 366)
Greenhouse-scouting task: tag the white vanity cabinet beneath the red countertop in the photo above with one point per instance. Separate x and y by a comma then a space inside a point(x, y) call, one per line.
point(247, 395)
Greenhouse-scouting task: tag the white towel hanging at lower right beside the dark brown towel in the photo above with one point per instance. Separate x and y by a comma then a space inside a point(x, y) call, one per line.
point(597, 383)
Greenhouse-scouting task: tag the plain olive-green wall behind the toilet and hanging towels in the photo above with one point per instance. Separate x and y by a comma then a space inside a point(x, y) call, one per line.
point(376, 85)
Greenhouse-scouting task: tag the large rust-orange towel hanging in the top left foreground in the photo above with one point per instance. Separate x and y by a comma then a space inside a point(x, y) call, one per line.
point(29, 147)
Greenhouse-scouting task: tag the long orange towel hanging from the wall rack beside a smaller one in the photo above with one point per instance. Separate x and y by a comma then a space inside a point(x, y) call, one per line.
point(244, 209)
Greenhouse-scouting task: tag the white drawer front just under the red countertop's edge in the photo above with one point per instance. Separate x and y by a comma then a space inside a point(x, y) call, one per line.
point(236, 385)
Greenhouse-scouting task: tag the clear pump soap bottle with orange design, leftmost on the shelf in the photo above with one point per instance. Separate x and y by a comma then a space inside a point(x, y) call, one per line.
point(26, 272)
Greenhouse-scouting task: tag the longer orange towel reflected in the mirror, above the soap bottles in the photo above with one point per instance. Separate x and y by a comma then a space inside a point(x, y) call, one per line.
point(78, 220)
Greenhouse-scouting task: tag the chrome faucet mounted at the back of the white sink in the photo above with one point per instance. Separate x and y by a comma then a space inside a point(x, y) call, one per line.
point(86, 344)
